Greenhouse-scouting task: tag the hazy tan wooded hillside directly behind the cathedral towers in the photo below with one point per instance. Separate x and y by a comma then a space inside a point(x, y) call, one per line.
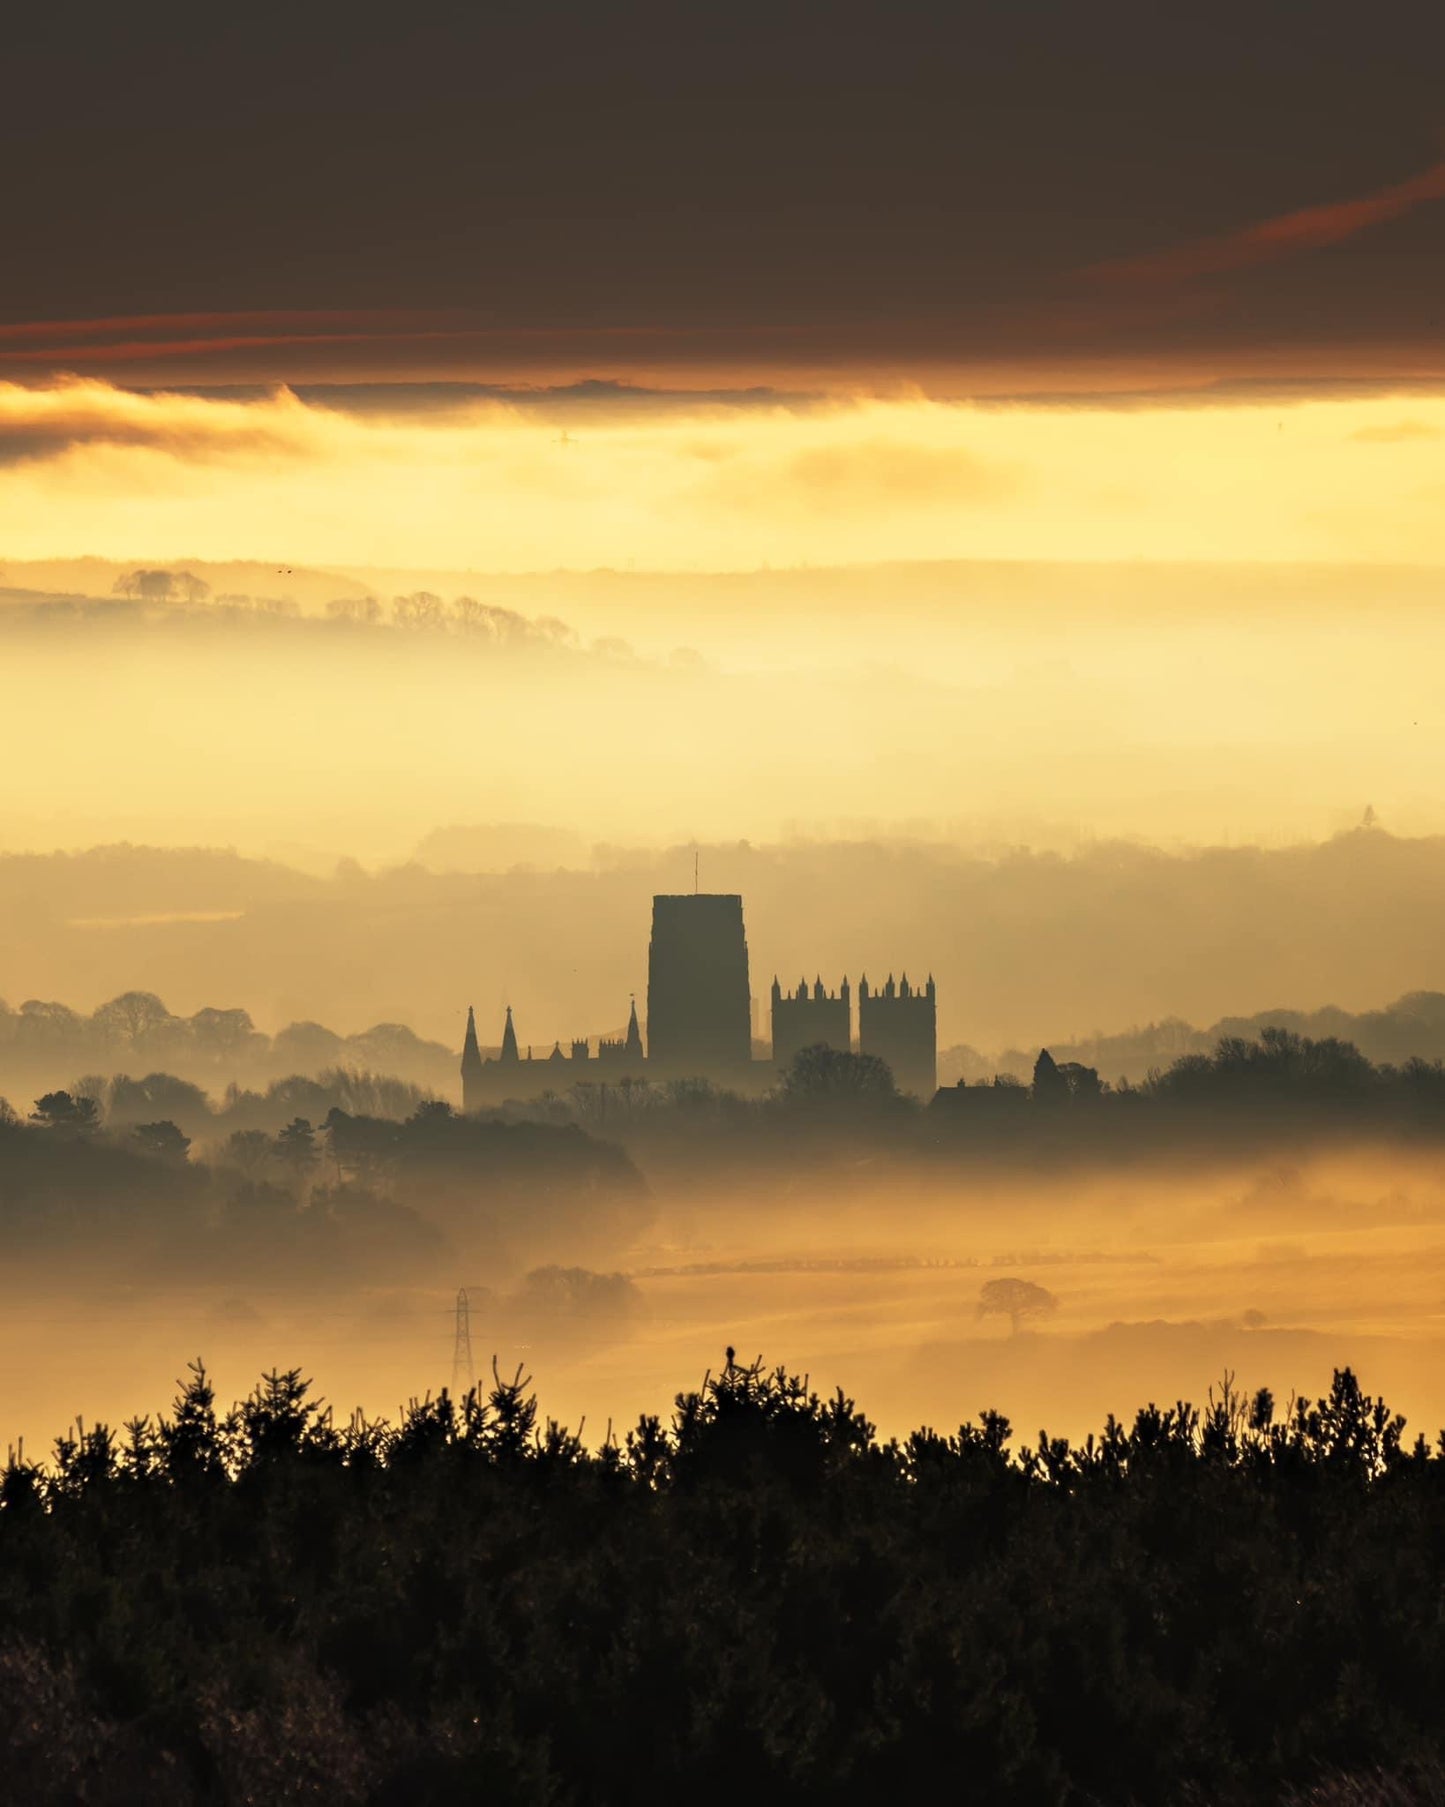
point(537, 919)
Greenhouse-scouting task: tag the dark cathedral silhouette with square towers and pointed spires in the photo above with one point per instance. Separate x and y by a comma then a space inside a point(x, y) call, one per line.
point(700, 1022)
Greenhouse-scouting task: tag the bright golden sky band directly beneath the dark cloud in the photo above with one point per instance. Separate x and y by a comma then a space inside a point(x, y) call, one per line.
point(89, 469)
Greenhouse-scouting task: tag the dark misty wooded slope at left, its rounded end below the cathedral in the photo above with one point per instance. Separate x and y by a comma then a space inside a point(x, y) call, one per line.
point(344, 1199)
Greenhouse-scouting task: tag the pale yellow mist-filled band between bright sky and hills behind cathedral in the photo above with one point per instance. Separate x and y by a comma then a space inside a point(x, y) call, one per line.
point(1041, 706)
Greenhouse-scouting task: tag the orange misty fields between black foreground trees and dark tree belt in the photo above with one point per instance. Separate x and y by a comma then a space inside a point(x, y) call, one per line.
point(1276, 1269)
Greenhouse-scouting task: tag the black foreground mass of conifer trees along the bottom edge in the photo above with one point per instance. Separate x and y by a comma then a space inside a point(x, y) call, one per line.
point(756, 1602)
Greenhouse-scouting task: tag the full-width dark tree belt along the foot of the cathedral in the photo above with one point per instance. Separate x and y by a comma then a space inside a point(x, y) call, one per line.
point(331, 1174)
